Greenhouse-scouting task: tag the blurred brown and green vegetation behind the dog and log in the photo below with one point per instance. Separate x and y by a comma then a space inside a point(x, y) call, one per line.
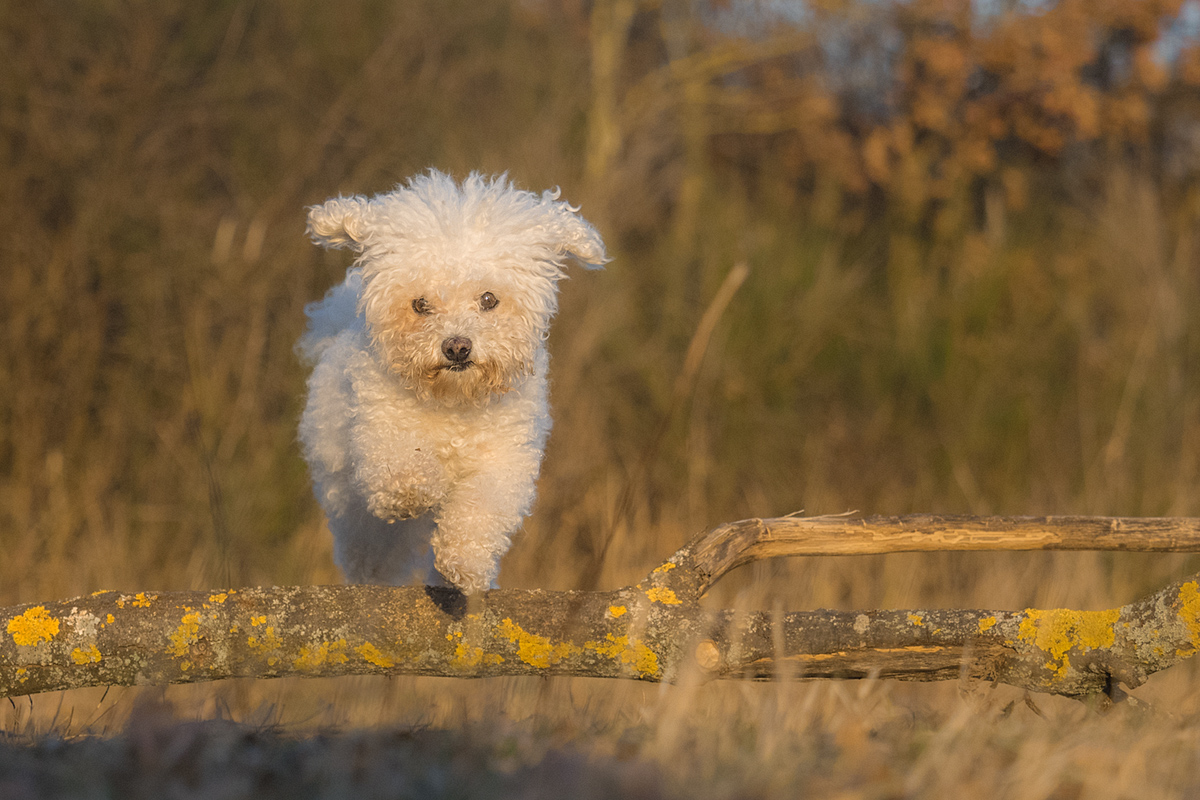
point(970, 232)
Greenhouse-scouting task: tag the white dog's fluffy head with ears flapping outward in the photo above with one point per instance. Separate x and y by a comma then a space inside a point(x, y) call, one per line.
point(459, 282)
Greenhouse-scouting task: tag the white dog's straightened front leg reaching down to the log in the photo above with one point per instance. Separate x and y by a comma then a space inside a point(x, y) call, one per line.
point(477, 522)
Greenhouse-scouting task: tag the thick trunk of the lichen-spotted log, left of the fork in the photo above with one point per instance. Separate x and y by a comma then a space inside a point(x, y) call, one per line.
point(319, 631)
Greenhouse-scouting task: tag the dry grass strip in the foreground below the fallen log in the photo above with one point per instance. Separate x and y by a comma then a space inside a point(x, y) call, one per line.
point(871, 739)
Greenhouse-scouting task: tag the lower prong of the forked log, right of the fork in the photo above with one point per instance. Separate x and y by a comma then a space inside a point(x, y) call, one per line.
point(1060, 652)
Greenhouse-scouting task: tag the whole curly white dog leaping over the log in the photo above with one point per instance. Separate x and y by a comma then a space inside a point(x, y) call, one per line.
point(428, 416)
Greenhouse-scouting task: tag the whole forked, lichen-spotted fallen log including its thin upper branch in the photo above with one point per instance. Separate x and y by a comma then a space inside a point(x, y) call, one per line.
point(651, 631)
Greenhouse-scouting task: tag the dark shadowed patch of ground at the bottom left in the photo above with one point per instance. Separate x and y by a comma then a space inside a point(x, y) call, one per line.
point(226, 761)
